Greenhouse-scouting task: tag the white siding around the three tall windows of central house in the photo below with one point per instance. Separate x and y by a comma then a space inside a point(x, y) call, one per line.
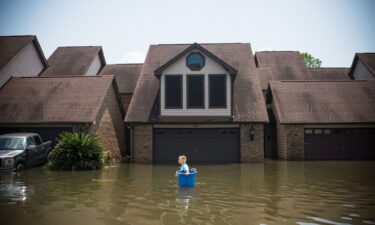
point(211, 67)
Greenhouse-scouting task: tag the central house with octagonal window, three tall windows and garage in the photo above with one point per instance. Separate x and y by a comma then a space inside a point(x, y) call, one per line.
point(204, 101)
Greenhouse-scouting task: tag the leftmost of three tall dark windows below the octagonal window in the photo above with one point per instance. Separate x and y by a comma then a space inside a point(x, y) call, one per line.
point(173, 91)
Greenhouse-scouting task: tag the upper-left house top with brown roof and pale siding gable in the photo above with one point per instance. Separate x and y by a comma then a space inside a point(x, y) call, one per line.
point(20, 56)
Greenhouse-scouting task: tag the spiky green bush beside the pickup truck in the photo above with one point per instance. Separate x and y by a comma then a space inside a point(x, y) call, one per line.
point(76, 152)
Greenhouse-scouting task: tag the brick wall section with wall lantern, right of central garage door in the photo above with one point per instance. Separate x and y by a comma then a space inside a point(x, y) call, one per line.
point(252, 150)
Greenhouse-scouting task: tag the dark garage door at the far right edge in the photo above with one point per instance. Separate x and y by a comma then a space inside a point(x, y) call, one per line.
point(339, 144)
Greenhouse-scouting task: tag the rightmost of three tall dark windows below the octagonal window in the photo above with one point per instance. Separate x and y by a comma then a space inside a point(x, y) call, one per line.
point(218, 91)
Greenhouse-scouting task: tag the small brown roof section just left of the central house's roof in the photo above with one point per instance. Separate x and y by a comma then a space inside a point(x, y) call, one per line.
point(126, 75)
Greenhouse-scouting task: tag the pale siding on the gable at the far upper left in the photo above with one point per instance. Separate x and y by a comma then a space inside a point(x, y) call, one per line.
point(26, 63)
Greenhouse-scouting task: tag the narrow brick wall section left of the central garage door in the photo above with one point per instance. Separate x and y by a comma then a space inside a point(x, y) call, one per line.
point(142, 143)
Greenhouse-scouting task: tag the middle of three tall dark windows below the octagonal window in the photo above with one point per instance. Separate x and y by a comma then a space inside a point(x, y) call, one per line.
point(195, 91)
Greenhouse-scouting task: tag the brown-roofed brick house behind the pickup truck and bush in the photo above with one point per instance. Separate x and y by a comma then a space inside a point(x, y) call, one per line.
point(51, 105)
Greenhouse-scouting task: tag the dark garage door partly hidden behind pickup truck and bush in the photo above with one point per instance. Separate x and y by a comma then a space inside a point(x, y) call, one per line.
point(47, 133)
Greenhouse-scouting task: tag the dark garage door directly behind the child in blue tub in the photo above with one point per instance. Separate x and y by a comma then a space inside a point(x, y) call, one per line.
point(200, 145)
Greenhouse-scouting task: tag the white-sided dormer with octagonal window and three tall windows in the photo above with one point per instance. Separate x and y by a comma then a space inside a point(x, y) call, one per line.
point(196, 83)
